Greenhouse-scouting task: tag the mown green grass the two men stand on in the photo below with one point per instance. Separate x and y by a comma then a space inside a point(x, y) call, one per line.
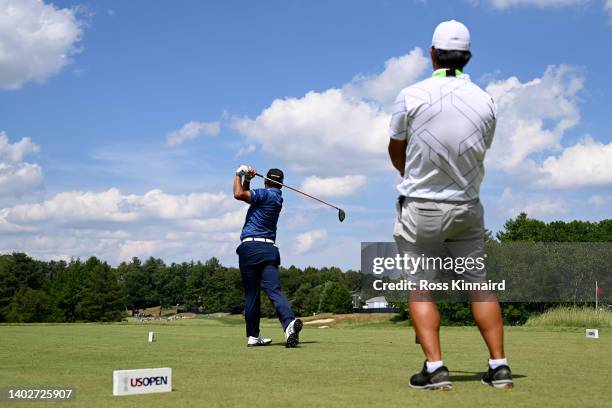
point(359, 365)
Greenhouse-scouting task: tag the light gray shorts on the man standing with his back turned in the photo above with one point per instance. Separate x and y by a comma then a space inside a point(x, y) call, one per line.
point(444, 234)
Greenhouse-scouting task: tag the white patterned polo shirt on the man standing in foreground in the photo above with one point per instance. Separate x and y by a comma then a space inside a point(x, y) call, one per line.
point(449, 124)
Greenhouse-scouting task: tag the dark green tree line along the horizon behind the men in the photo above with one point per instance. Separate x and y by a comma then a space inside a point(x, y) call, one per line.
point(92, 290)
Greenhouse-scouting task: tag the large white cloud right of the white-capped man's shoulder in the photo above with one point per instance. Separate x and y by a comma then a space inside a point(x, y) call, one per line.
point(533, 118)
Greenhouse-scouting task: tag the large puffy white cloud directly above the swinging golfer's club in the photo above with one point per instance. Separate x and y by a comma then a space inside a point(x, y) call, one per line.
point(309, 132)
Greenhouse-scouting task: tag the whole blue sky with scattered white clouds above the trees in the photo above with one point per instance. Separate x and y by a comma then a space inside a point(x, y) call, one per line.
point(91, 92)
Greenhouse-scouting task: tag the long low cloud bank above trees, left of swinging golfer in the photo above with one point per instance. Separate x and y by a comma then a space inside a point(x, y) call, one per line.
point(117, 226)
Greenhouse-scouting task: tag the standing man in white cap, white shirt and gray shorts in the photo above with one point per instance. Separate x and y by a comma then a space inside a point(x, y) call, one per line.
point(440, 131)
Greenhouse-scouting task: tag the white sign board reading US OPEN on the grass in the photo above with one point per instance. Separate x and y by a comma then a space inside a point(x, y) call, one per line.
point(145, 381)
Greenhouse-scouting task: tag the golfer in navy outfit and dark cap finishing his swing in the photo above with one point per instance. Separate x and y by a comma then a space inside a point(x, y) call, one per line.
point(259, 258)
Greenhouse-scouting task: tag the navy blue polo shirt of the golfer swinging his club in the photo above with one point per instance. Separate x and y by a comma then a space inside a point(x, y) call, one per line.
point(266, 204)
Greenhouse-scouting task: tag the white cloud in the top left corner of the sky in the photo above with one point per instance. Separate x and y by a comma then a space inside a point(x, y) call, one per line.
point(36, 40)
